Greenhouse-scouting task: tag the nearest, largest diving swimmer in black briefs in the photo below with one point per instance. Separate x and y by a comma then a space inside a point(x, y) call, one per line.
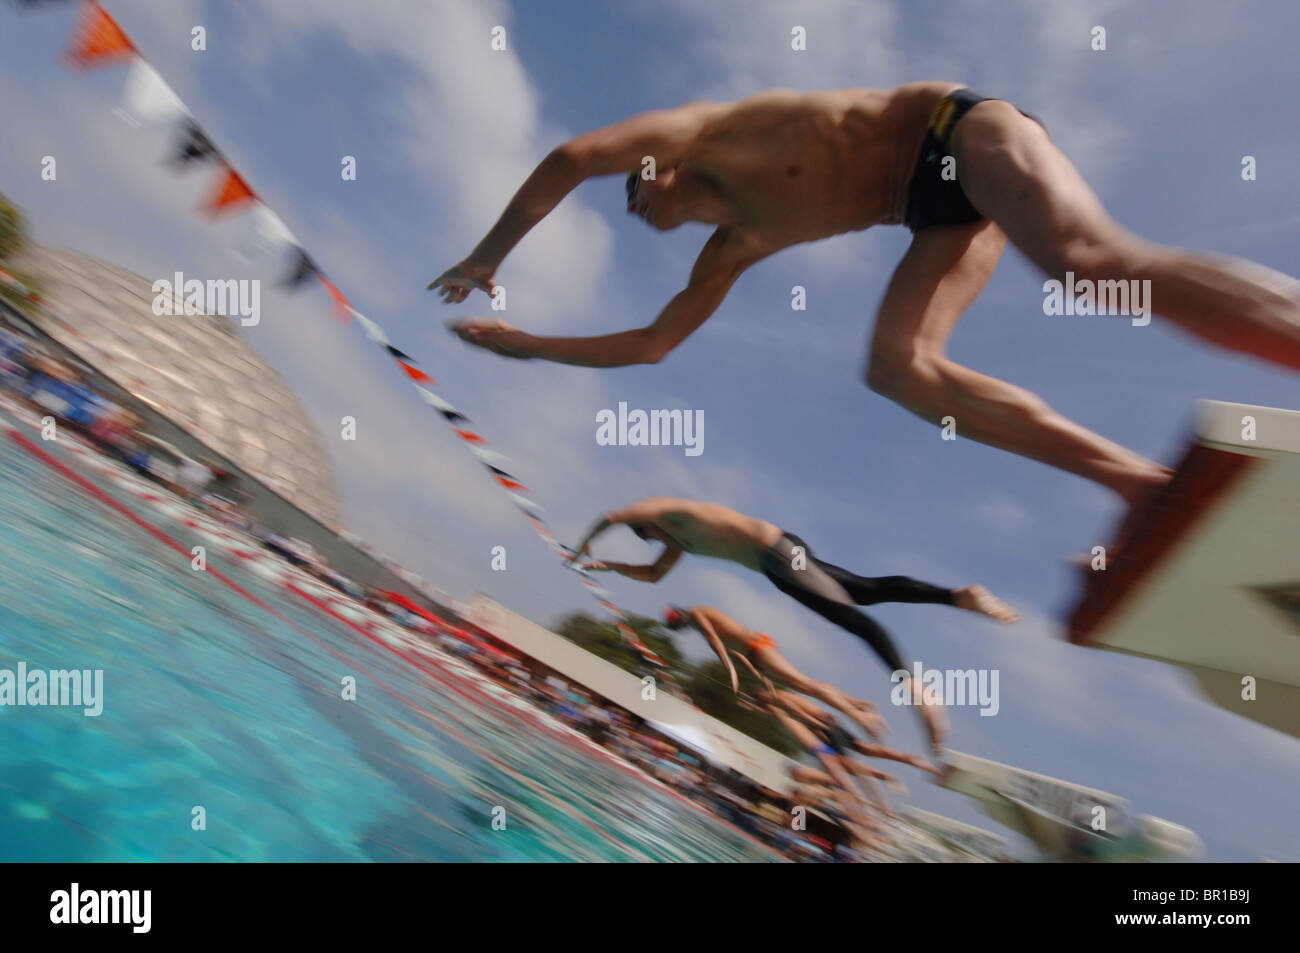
point(963, 171)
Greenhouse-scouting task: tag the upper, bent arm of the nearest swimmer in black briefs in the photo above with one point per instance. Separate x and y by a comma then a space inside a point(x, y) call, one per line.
point(614, 150)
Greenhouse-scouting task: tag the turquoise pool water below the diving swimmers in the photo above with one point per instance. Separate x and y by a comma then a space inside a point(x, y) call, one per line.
point(213, 701)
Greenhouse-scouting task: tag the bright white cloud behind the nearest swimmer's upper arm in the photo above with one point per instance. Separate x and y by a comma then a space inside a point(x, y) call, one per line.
point(469, 122)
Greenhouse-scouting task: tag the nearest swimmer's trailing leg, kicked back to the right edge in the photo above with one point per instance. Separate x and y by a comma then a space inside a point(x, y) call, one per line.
point(1012, 172)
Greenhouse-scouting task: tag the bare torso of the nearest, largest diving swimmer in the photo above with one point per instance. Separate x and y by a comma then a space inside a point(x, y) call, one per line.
point(798, 167)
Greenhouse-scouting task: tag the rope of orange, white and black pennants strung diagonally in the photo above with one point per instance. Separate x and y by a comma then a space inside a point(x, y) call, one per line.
point(98, 41)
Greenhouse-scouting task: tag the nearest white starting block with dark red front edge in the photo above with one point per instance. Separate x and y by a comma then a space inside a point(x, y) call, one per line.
point(1208, 578)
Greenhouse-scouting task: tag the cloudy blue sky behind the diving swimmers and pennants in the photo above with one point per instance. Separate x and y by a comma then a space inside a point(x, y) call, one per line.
point(445, 129)
